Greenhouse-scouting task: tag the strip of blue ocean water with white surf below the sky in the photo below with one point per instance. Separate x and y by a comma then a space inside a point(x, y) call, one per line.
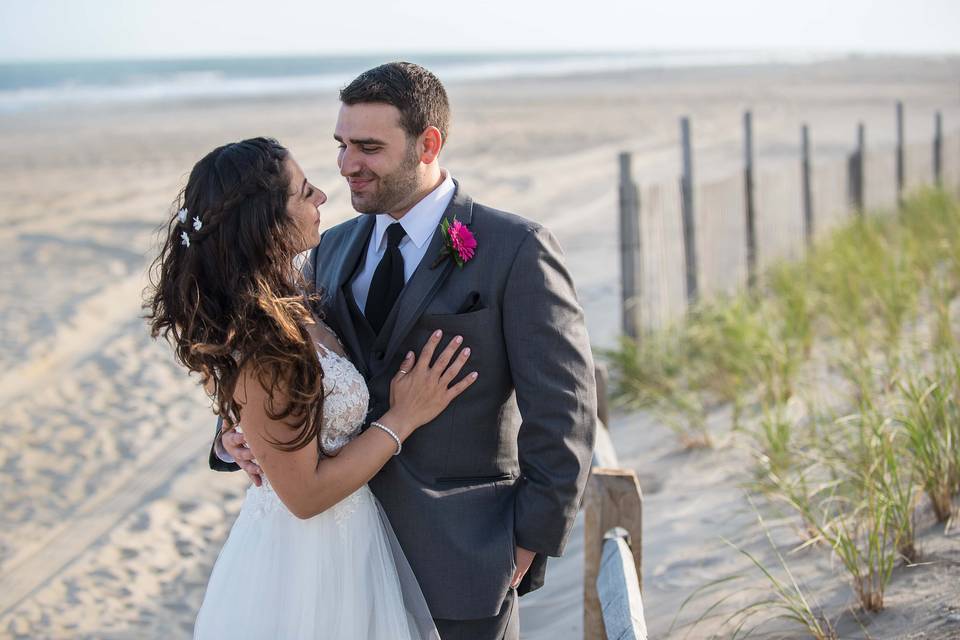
point(44, 85)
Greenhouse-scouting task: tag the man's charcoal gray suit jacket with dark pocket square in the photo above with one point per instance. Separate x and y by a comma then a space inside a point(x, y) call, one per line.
point(506, 463)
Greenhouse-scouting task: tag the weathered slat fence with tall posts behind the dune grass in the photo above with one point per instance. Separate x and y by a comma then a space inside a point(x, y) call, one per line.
point(683, 241)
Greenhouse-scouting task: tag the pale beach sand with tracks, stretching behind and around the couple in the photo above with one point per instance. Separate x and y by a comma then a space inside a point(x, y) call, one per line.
point(111, 520)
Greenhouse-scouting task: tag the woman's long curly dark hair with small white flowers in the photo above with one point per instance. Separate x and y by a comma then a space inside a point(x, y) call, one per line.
point(229, 293)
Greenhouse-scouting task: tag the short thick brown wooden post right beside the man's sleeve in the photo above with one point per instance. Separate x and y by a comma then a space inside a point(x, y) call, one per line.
point(613, 499)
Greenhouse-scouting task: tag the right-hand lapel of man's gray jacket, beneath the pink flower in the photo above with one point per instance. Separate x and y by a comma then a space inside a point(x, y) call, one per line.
point(425, 282)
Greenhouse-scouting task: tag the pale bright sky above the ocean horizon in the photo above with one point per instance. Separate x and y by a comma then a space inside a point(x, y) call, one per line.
point(98, 29)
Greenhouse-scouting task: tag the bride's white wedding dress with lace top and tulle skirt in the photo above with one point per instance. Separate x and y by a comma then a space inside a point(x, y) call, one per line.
point(339, 575)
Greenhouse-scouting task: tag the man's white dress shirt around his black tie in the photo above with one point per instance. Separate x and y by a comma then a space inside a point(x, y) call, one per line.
point(420, 222)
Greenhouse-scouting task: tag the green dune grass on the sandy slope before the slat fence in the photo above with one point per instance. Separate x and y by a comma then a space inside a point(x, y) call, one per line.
point(868, 314)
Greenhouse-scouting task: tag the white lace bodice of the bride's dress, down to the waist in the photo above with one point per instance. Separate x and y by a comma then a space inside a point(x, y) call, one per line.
point(345, 406)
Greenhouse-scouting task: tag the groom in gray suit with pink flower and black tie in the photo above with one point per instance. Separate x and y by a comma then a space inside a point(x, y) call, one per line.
point(483, 494)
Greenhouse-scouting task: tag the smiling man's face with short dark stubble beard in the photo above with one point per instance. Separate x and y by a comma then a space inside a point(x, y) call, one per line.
point(376, 157)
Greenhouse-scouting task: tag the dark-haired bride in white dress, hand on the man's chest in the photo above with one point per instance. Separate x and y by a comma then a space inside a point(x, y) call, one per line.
point(311, 554)
